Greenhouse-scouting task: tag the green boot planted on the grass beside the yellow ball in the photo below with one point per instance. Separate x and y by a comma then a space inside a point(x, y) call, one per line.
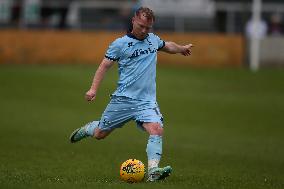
point(157, 173)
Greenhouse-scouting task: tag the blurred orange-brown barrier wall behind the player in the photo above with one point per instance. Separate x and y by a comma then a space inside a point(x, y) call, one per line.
point(89, 47)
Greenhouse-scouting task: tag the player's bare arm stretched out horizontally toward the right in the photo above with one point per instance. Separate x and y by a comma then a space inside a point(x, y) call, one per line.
point(173, 48)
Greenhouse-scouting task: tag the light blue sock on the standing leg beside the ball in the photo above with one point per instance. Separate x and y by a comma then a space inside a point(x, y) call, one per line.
point(154, 150)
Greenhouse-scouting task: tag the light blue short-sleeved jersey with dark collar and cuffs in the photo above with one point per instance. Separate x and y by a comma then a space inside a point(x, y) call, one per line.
point(137, 61)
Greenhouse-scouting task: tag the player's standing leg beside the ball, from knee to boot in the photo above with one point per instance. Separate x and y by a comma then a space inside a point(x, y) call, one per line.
point(154, 152)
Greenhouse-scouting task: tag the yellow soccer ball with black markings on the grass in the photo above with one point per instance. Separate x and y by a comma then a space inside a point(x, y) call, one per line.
point(132, 170)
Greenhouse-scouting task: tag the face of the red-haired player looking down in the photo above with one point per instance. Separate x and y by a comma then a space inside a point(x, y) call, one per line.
point(141, 26)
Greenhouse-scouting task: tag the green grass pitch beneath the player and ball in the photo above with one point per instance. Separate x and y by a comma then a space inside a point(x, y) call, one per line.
point(224, 128)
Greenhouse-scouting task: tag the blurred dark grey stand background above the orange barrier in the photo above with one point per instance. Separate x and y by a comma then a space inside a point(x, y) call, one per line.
point(172, 15)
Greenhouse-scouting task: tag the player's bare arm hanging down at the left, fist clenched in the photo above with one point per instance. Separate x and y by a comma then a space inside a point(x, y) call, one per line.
point(99, 76)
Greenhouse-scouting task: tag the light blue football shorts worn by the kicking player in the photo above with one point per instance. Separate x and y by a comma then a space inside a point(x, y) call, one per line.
point(121, 110)
